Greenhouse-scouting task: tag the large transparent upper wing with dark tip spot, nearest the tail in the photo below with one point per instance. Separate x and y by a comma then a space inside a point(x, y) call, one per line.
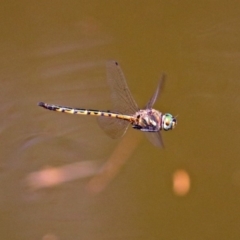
point(122, 99)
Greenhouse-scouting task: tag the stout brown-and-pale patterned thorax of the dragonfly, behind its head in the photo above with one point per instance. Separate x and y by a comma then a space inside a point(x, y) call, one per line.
point(148, 120)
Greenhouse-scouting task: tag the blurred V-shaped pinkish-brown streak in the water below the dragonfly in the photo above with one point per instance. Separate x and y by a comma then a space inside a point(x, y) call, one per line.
point(102, 175)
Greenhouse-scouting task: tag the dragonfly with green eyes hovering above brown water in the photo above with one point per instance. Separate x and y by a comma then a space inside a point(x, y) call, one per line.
point(125, 111)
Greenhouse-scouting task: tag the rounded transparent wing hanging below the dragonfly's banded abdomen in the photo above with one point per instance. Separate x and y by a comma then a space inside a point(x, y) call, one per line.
point(113, 127)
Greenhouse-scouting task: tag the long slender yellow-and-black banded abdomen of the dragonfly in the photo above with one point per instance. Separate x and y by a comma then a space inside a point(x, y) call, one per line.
point(85, 111)
